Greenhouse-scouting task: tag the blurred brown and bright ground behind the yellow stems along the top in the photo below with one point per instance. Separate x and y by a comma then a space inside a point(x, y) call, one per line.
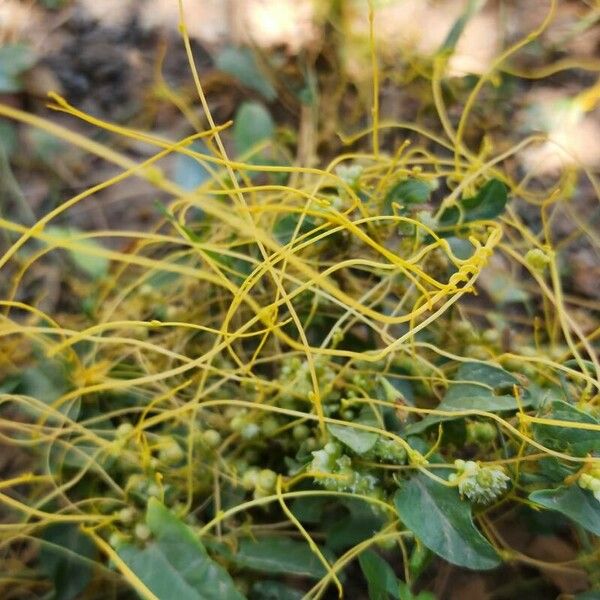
point(301, 71)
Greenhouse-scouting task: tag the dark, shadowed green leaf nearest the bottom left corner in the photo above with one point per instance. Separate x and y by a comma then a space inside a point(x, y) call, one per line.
point(66, 558)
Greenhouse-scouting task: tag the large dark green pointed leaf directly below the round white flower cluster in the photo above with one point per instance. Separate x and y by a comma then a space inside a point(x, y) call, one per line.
point(443, 522)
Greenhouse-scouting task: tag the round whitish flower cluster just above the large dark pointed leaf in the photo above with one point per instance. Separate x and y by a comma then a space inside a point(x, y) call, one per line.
point(477, 483)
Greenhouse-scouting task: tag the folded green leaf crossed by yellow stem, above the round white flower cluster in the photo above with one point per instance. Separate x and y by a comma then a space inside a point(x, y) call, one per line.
point(471, 391)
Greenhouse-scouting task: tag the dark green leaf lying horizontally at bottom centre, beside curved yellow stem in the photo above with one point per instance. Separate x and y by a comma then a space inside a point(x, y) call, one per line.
point(279, 555)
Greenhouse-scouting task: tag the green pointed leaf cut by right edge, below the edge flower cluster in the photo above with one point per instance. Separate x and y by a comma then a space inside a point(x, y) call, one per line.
point(573, 502)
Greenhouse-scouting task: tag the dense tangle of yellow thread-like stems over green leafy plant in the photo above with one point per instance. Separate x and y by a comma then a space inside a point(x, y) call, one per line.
point(287, 375)
